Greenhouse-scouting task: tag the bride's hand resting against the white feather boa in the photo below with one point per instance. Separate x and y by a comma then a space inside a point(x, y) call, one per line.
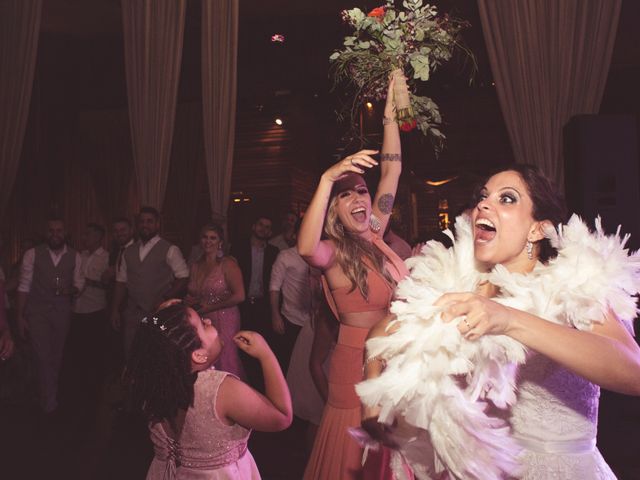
point(480, 315)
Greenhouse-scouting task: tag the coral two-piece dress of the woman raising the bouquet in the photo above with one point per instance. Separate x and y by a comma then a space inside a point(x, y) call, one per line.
point(336, 455)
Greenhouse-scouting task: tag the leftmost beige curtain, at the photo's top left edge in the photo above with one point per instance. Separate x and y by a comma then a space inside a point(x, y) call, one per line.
point(19, 31)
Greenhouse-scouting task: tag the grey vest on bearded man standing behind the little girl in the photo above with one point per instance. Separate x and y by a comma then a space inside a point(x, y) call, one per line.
point(148, 280)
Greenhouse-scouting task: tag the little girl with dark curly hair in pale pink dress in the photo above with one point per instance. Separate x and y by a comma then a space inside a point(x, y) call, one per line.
point(200, 418)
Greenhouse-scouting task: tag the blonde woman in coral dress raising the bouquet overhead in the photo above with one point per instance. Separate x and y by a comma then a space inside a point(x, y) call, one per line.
point(361, 273)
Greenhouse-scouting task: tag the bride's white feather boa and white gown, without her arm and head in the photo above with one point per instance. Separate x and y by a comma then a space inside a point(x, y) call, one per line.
point(518, 414)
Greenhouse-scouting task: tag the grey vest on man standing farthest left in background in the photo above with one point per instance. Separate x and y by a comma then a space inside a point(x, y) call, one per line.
point(47, 278)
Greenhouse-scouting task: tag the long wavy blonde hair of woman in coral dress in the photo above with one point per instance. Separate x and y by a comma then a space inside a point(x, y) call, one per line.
point(353, 252)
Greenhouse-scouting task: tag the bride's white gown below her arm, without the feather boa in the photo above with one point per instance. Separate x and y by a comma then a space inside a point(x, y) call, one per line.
point(555, 419)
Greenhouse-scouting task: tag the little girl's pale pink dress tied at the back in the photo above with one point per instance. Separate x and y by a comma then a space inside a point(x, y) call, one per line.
point(207, 448)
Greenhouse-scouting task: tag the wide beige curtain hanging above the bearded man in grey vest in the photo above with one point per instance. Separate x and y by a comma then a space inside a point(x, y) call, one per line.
point(153, 36)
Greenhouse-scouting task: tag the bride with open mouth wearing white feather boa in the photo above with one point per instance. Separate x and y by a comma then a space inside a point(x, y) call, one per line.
point(560, 303)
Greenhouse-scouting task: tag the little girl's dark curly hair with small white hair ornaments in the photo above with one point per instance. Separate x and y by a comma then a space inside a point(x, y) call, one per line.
point(159, 372)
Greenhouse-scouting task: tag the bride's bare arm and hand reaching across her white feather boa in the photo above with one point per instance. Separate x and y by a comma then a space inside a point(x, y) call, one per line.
point(607, 356)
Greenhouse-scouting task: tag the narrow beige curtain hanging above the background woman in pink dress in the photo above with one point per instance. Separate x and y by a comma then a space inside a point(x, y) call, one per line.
point(219, 58)
